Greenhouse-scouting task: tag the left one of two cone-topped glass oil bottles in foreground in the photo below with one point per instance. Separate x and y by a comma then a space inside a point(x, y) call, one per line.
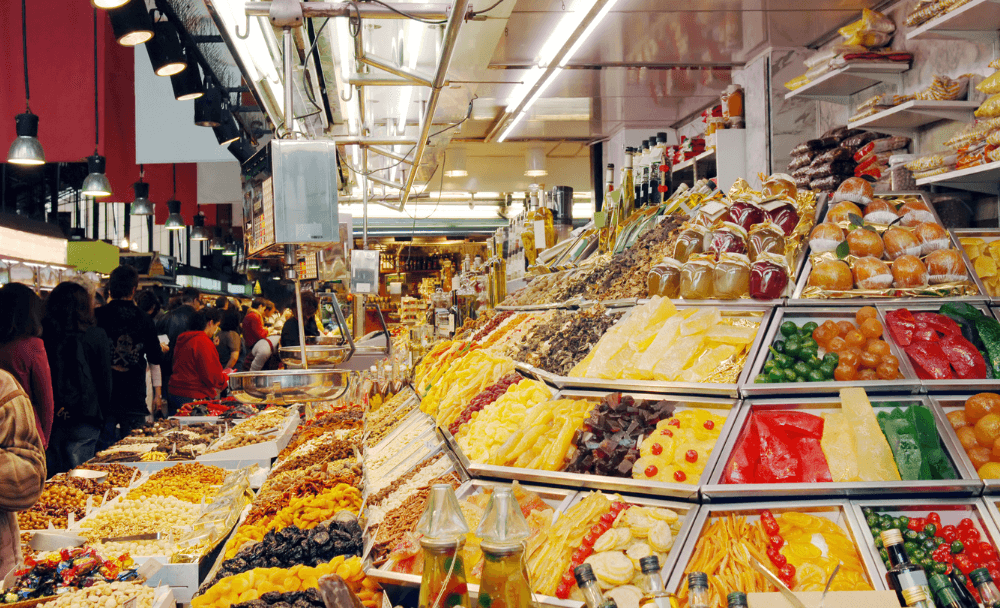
point(443, 527)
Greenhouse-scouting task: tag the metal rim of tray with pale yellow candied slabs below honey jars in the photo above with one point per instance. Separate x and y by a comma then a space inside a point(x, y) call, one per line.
point(731, 390)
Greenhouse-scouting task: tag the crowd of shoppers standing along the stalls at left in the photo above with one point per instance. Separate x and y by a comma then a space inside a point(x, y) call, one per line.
point(92, 372)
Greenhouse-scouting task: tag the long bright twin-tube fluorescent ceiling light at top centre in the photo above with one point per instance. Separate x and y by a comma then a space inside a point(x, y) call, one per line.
point(550, 50)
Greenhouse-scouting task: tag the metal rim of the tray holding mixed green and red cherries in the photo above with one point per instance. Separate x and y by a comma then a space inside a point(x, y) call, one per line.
point(951, 511)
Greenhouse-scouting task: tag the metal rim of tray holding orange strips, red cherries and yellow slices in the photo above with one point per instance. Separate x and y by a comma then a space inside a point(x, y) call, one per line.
point(837, 511)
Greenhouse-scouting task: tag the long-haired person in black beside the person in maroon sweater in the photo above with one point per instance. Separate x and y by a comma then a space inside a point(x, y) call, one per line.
point(79, 355)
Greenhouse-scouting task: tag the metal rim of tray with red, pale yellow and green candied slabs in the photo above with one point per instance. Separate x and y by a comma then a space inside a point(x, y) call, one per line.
point(967, 483)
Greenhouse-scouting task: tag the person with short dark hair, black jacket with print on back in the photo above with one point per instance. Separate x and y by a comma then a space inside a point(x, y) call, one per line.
point(134, 345)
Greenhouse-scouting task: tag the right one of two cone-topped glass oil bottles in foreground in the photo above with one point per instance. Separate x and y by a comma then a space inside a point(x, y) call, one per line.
point(503, 530)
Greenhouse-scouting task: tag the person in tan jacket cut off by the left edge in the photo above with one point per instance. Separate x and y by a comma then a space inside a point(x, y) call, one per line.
point(22, 466)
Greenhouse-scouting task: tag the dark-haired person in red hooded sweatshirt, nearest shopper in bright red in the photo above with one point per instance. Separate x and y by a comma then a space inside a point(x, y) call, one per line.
point(197, 371)
